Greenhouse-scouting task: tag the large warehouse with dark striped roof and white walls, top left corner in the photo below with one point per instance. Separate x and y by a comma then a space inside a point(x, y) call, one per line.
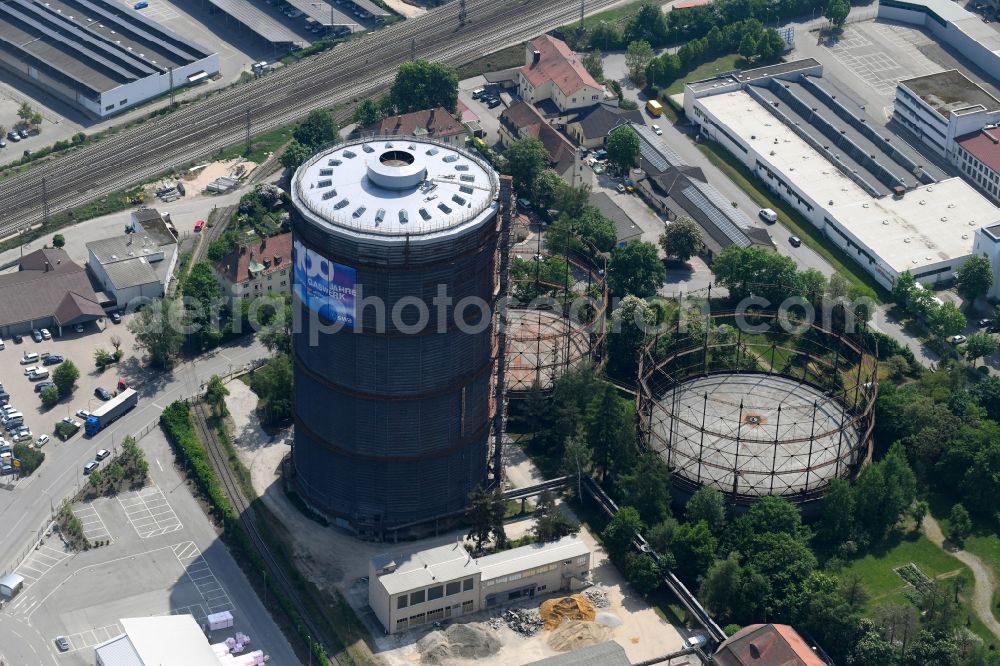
point(99, 56)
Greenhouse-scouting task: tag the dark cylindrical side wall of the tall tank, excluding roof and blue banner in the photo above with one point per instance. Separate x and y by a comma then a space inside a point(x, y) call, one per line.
point(393, 427)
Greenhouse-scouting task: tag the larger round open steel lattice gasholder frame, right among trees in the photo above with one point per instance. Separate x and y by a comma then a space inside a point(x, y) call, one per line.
point(753, 409)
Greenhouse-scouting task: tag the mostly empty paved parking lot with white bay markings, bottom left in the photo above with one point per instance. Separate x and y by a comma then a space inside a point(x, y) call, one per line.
point(164, 558)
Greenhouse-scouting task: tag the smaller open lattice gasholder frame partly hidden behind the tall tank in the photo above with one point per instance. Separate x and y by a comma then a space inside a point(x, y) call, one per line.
point(555, 318)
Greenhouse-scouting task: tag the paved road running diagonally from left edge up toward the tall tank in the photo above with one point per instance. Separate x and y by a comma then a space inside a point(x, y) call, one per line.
point(24, 509)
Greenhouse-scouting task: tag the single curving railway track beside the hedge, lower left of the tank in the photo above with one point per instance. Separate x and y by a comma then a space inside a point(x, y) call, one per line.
point(220, 461)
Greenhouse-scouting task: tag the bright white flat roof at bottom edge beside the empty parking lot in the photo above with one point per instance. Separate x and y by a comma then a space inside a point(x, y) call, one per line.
point(165, 640)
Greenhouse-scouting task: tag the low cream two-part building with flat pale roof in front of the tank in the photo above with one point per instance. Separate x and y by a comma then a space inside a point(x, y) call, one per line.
point(445, 582)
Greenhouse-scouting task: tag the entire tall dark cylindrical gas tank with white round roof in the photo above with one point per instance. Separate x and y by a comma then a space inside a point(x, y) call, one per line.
point(393, 412)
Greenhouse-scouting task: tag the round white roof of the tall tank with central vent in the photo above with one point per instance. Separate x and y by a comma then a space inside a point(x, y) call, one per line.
point(395, 187)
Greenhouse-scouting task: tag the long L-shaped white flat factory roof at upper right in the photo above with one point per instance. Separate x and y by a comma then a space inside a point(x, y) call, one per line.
point(929, 224)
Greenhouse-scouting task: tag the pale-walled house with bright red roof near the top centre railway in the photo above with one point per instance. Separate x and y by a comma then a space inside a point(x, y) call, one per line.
point(553, 72)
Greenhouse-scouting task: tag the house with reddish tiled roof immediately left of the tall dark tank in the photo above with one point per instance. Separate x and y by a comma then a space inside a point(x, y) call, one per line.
point(255, 270)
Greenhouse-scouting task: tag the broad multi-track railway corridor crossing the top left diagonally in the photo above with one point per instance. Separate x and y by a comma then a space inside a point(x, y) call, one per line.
point(350, 71)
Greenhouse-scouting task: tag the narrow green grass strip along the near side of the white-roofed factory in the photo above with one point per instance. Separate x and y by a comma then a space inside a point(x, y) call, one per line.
point(809, 234)
